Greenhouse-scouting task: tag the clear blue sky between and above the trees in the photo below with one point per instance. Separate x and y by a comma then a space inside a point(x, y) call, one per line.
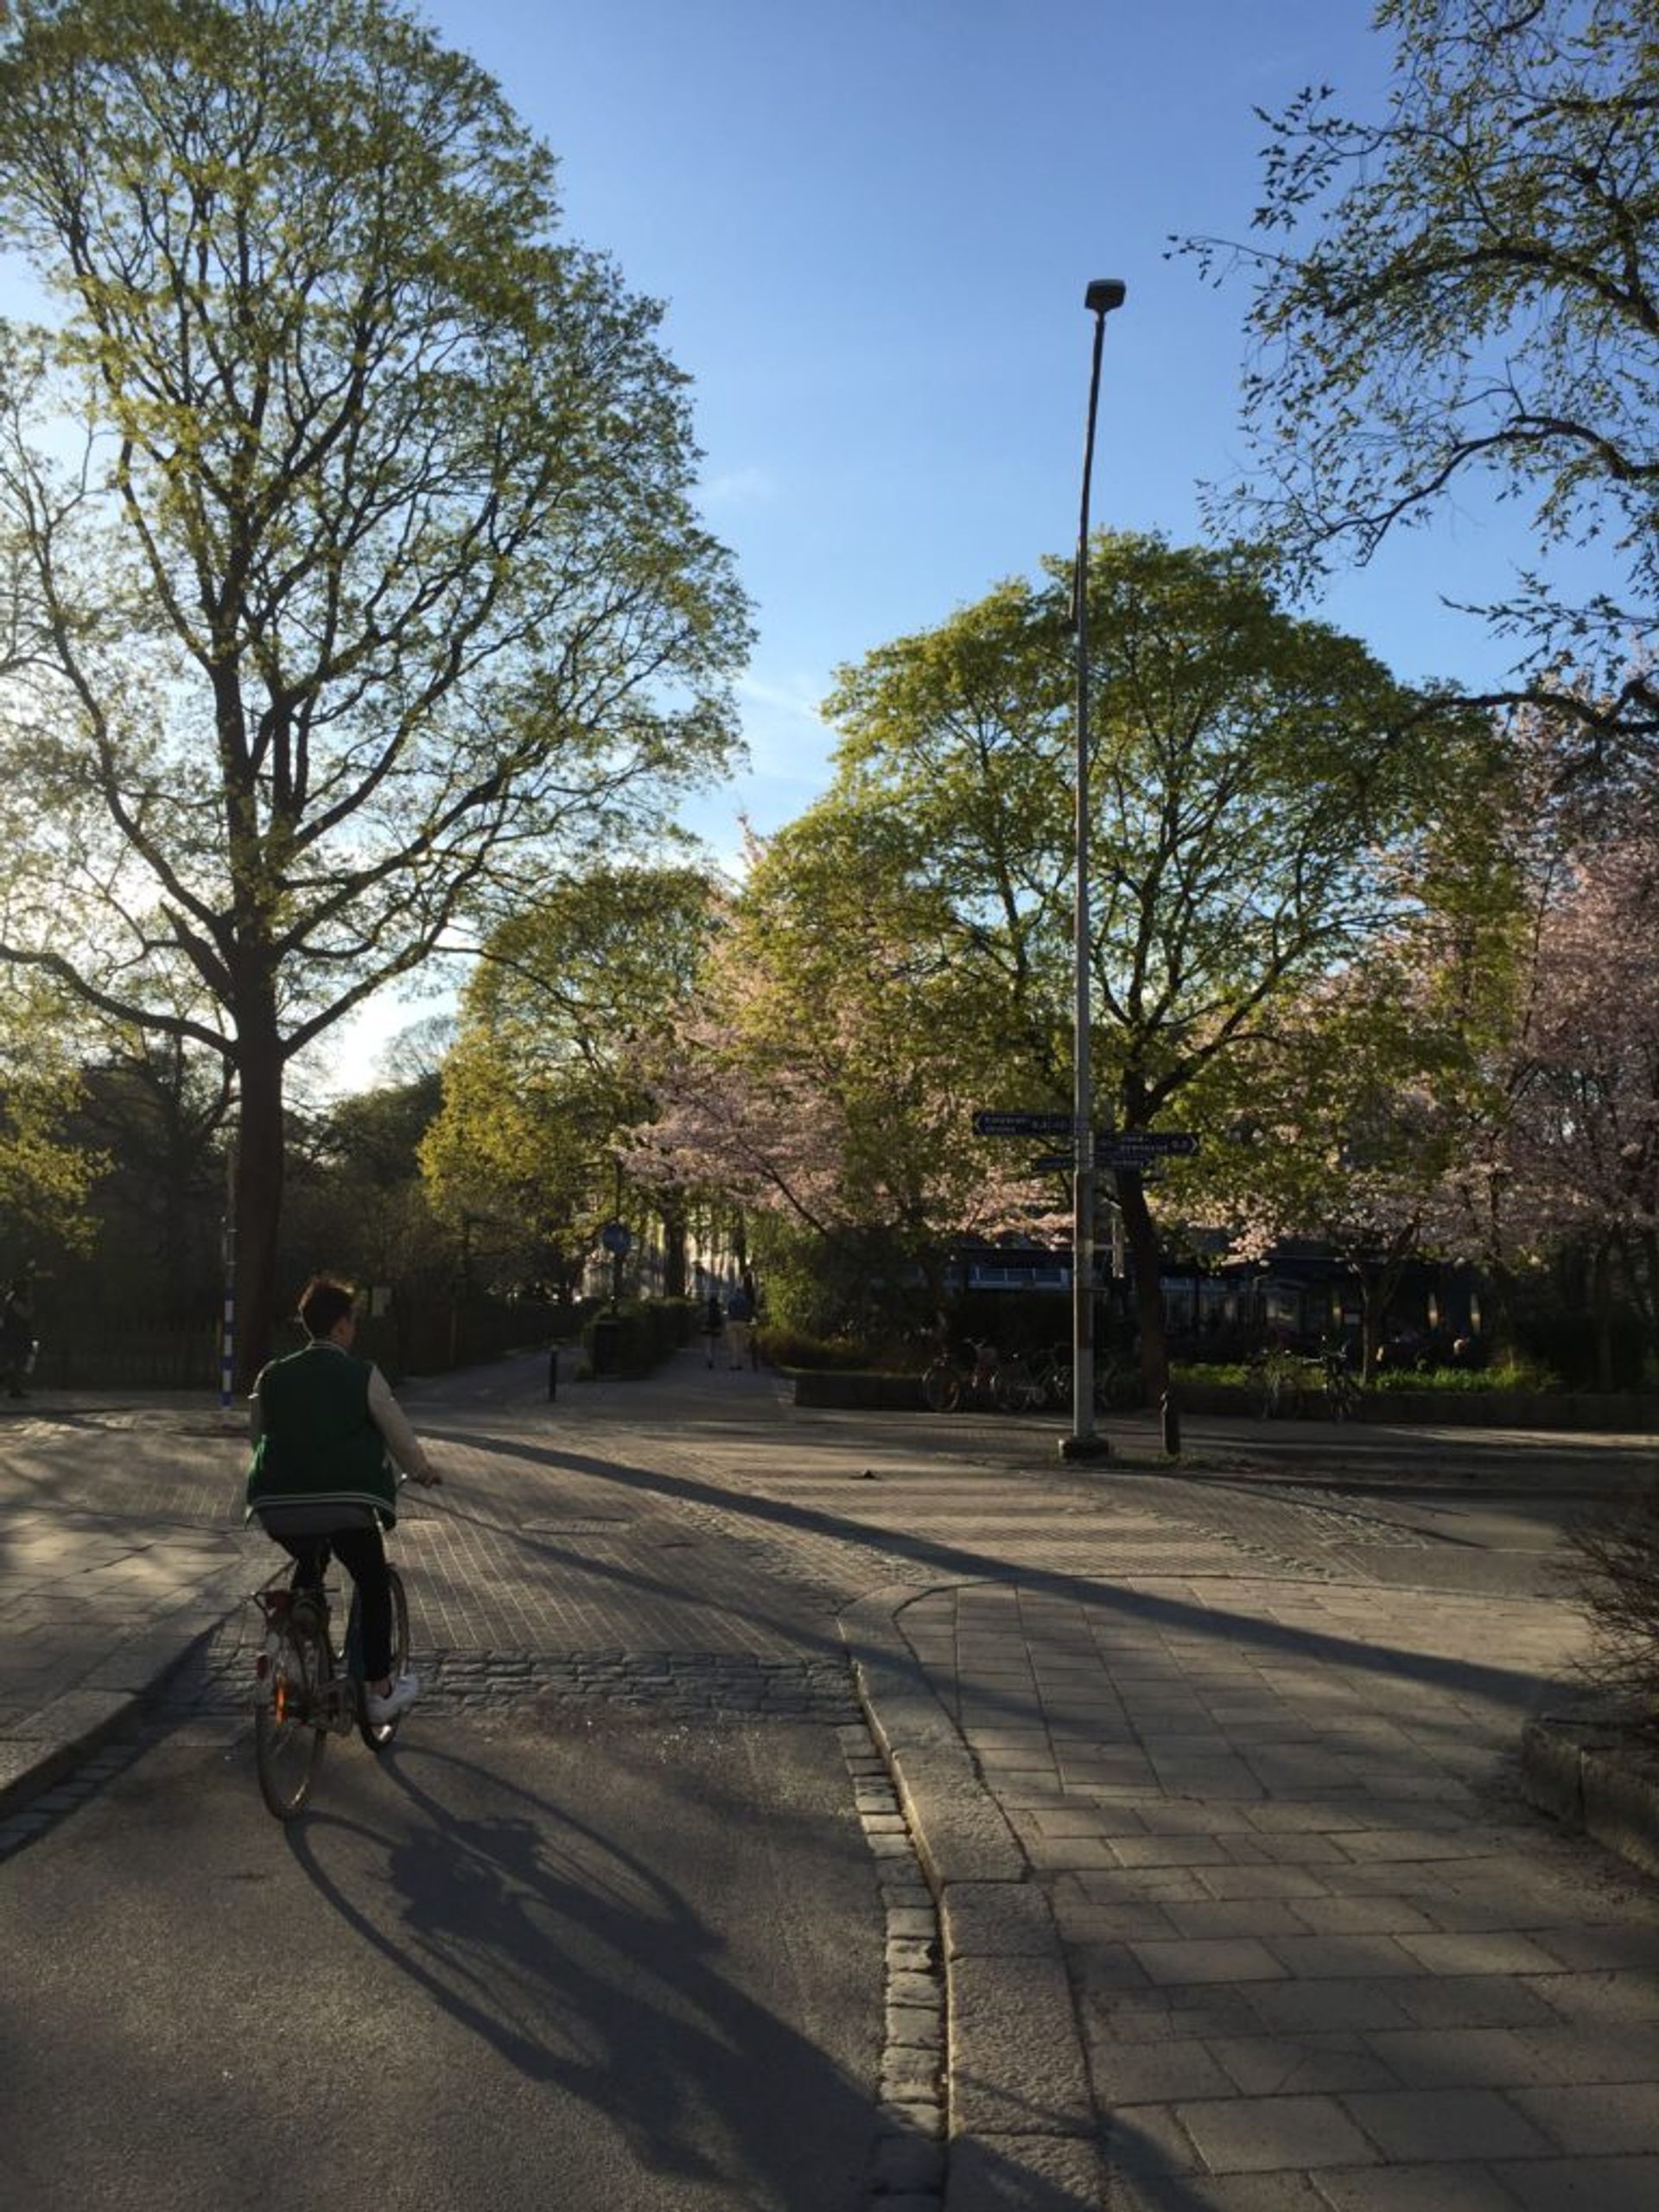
point(873, 227)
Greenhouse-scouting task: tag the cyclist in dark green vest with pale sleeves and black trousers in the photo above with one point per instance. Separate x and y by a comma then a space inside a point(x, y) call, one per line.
point(324, 1479)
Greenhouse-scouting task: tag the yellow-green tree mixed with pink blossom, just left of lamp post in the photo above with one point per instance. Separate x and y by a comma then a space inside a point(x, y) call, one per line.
point(826, 1074)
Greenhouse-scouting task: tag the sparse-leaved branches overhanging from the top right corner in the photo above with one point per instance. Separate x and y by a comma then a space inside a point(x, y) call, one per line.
point(1468, 291)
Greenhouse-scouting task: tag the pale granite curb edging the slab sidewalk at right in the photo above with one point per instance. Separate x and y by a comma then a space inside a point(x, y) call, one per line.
point(1021, 2111)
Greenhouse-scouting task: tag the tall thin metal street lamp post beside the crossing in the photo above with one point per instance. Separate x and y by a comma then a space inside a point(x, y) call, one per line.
point(1085, 1443)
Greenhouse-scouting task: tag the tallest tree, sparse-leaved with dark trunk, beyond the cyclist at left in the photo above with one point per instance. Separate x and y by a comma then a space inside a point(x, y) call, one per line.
point(377, 581)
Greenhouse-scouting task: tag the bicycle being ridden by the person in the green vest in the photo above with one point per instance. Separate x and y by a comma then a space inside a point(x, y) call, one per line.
point(306, 1691)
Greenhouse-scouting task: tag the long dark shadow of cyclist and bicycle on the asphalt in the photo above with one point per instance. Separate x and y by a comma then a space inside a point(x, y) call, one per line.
point(585, 1970)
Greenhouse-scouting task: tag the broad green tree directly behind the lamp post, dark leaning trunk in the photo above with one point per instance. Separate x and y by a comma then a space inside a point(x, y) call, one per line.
point(1258, 782)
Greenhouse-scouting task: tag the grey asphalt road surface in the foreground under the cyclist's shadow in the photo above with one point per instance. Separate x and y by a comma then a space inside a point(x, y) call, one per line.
point(536, 1961)
